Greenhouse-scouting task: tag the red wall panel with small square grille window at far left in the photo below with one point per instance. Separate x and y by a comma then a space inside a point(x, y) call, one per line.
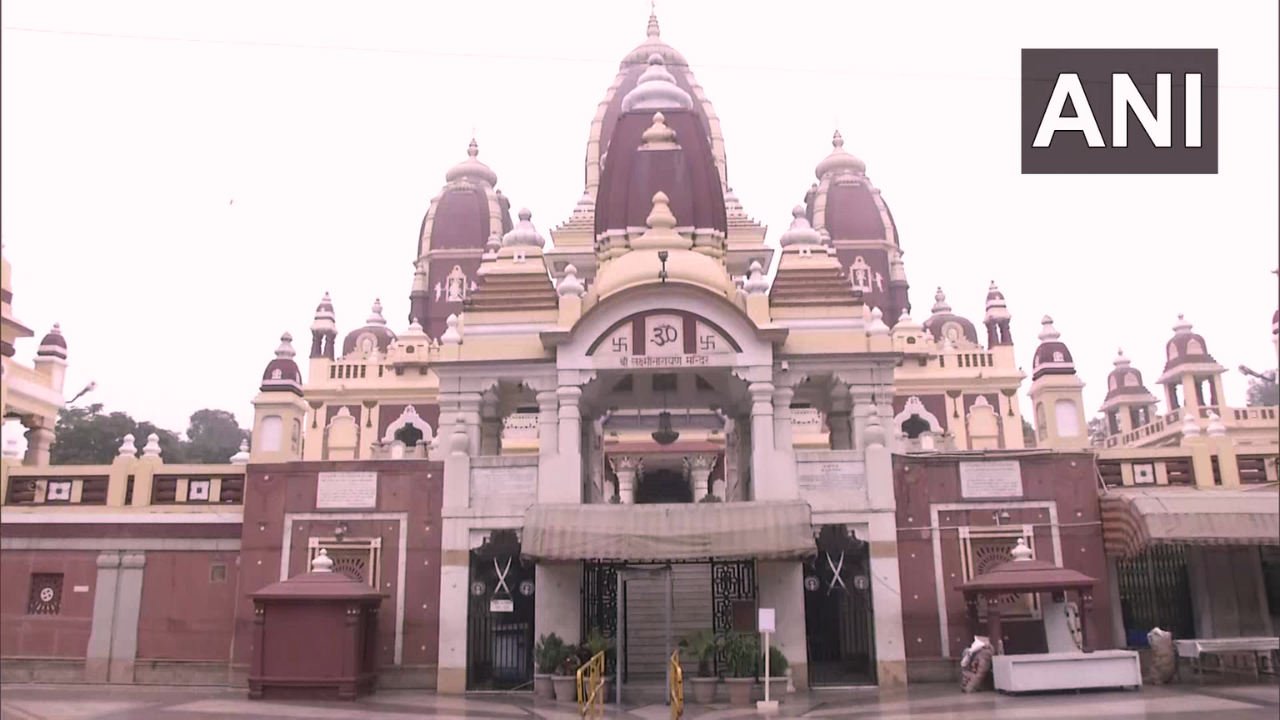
point(47, 636)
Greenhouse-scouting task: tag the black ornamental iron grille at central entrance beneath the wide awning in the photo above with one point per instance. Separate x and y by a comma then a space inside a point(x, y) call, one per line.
point(734, 593)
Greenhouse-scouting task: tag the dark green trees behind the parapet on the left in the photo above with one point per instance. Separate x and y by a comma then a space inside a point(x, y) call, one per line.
point(86, 436)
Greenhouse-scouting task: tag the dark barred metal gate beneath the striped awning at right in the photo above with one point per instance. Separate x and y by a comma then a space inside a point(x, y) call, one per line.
point(1155, 593)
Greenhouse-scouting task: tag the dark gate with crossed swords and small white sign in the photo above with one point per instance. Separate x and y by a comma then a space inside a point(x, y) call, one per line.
point(500, 616)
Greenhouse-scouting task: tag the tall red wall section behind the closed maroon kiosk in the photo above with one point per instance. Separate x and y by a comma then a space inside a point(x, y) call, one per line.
point(404, 486)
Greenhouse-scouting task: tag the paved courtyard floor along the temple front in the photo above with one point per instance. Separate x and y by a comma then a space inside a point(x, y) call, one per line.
point(927, 703)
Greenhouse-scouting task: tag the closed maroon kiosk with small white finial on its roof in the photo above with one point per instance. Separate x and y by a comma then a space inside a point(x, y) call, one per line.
point(316, 636)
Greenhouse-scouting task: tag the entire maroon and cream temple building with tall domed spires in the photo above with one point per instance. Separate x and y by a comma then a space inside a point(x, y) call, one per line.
point(650, 425)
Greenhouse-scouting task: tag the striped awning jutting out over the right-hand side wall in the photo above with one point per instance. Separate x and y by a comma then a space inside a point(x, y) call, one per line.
point(1136, 520)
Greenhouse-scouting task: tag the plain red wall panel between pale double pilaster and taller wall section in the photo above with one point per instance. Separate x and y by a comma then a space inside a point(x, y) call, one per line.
point(188, 614)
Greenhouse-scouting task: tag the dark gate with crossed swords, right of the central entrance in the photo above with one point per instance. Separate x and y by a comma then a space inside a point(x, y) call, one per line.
point(839, 617)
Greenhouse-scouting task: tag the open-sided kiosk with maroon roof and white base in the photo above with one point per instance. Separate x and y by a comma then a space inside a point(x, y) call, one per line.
point(1069, 671)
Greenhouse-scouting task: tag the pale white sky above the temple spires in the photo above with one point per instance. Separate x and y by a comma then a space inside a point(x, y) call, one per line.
point(332, 125)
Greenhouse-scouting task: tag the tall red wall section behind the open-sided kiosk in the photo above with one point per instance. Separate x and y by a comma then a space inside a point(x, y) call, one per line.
point(1066, 479)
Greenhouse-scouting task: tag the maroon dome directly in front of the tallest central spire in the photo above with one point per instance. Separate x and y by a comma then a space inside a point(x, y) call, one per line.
point(683, 168)
